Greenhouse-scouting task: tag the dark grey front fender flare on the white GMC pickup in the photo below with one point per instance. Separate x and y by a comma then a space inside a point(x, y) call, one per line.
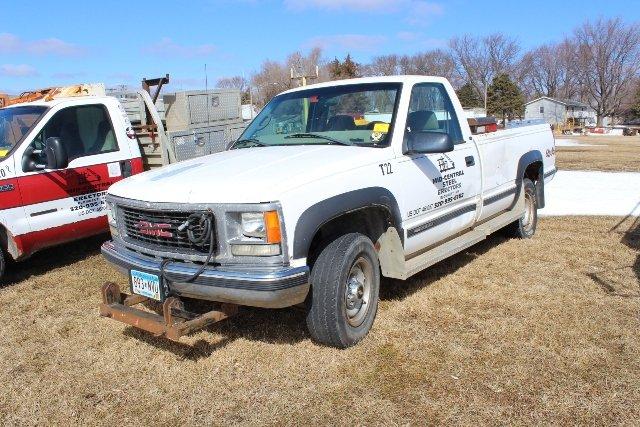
point(318, 214)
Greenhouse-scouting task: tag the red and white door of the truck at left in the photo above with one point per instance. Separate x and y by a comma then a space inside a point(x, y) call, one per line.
point(68, 204)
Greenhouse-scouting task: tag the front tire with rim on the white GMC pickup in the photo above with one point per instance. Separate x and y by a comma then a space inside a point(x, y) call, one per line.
point(345, 284)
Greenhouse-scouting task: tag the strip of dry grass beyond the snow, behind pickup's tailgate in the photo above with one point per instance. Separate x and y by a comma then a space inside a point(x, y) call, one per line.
point(603, 153)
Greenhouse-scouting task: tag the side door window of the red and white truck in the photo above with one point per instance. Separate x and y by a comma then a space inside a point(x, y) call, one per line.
point(84, 130)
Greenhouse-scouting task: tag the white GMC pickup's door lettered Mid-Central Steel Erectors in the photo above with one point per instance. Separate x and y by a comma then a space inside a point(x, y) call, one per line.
point(441, 198)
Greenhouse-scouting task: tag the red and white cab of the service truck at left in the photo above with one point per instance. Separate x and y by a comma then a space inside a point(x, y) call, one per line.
point(58, 157)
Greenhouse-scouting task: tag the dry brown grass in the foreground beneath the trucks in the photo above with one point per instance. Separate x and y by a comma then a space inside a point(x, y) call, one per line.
point(508, 332)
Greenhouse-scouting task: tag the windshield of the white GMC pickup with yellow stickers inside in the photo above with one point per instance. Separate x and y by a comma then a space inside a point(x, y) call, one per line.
point(359, 114)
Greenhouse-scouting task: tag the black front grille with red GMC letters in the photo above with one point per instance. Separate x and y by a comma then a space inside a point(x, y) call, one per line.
point(158, 230)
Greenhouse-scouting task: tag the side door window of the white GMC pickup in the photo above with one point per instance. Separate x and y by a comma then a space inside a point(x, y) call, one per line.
point(431, 110)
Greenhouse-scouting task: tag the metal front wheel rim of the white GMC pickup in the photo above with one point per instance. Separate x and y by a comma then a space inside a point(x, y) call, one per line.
point(358, 291)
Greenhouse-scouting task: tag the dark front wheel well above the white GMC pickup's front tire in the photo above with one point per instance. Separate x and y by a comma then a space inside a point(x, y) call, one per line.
point(370, 221)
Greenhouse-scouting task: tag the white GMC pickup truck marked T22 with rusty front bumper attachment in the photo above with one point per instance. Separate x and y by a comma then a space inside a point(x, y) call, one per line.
point(331, 187)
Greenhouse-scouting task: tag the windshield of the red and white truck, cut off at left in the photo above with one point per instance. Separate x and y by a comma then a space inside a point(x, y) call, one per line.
point(15, 123)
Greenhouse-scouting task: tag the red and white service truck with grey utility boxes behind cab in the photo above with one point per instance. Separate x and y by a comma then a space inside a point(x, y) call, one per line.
point(61, 148)
